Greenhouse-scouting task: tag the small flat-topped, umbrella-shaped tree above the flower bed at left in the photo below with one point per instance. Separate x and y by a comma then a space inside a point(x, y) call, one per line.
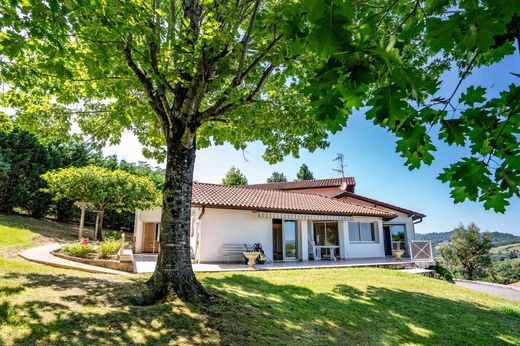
point(103, 189)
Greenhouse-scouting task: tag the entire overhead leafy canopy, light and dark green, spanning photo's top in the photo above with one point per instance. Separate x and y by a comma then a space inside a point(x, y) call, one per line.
point(93, 65)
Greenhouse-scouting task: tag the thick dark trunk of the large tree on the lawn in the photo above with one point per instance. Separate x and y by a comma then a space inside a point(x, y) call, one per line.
point(174, 273)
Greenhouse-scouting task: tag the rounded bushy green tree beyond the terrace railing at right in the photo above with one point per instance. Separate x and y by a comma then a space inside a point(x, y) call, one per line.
point(468, 251)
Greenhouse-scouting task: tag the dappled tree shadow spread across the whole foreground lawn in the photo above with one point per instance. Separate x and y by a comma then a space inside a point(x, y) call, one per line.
point(71, 310)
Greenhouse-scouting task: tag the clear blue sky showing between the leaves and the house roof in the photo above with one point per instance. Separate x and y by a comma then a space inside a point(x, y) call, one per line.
point(370, 158)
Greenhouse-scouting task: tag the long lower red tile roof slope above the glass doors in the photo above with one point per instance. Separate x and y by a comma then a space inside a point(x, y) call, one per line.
point(237, 197)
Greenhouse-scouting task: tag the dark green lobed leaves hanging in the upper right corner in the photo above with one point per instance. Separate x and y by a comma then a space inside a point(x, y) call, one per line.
point(389, 56)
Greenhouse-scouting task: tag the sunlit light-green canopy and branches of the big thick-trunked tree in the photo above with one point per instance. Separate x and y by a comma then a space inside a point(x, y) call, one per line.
point(135, 65)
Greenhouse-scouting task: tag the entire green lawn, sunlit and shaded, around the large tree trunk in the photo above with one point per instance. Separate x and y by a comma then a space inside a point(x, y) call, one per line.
point(44, 305)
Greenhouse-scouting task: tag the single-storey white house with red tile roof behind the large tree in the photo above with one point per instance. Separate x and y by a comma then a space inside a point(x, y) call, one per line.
point(293, 221)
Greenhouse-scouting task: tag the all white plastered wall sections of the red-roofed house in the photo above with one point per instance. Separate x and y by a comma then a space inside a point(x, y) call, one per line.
point(215, 227)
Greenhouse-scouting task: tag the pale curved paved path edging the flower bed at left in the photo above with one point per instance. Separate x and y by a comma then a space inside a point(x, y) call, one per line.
point(41, 254)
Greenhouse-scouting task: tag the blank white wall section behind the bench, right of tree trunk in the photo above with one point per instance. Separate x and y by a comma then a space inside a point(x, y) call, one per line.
point(231, 226)
